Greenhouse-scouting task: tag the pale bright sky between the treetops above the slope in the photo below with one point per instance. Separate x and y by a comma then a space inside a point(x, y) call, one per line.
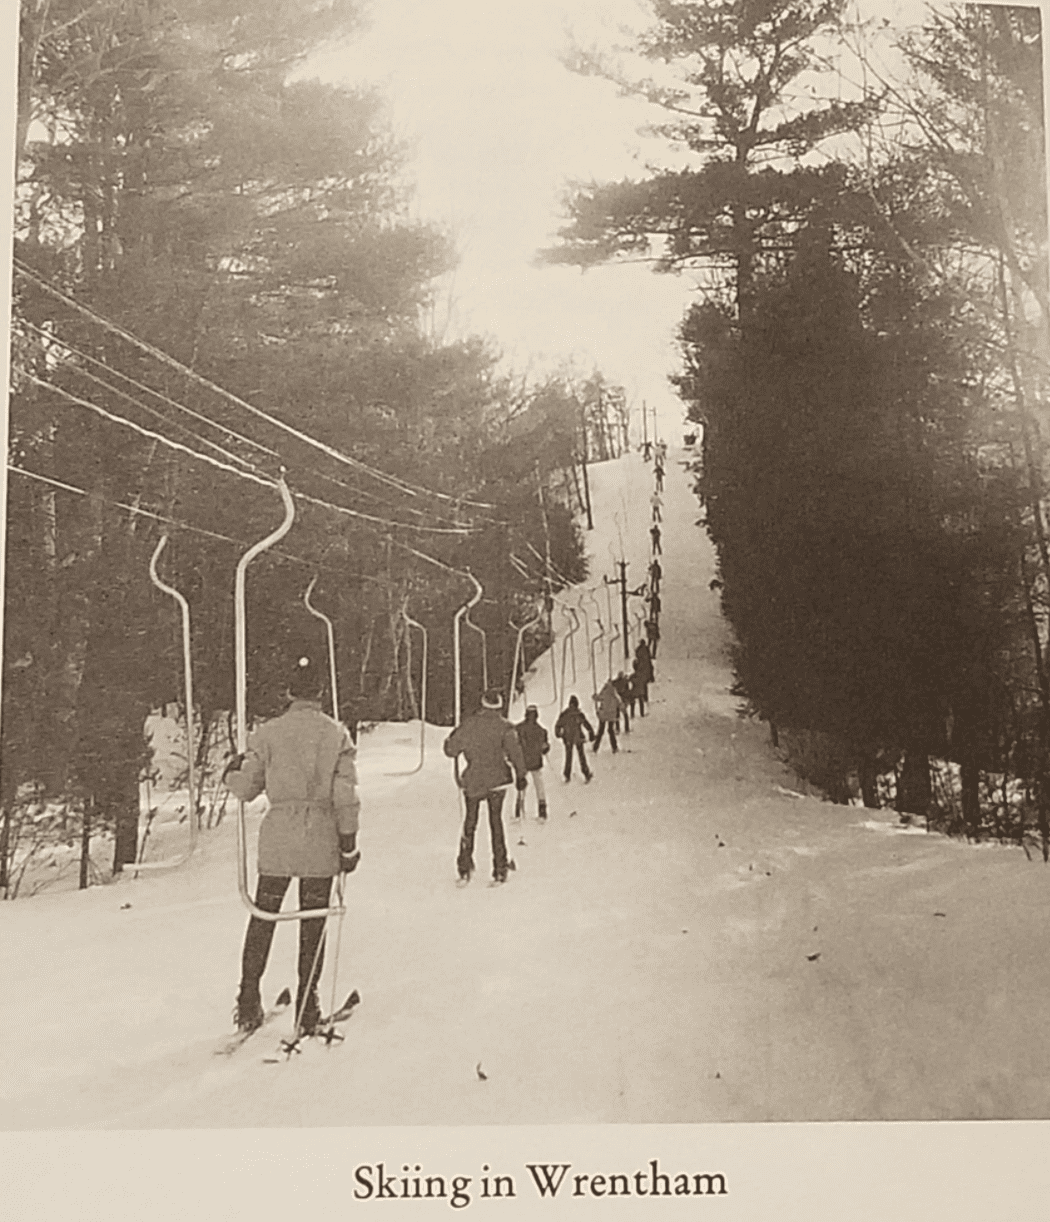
point(498, 128)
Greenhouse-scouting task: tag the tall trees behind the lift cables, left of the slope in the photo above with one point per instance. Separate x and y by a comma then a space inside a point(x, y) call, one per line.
point(218, 284)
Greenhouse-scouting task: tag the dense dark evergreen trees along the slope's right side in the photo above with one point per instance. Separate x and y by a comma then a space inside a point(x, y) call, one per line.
point(865, 214)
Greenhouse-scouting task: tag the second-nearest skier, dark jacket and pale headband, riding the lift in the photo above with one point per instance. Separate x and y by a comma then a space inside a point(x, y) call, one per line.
point(492, 748)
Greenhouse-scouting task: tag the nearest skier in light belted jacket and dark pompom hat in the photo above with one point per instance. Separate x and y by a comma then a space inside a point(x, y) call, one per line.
point(305, 762)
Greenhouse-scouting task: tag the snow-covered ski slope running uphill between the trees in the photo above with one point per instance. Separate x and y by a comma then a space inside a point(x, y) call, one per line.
point(695, 945)
